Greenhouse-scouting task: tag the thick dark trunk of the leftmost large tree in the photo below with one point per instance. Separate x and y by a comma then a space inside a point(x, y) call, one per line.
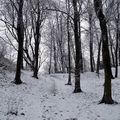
point(20, 35)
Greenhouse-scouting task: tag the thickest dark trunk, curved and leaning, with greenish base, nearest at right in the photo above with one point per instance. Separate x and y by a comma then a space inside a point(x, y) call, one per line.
point(107, 97)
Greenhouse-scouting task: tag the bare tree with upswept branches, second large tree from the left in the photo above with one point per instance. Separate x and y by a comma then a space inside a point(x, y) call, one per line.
point(38, 16)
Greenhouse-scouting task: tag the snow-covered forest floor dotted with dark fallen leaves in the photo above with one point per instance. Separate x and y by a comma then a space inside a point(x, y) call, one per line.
point(48, 98)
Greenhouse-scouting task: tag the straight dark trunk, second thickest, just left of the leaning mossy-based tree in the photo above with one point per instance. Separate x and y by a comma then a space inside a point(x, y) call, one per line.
point(77, 47)
